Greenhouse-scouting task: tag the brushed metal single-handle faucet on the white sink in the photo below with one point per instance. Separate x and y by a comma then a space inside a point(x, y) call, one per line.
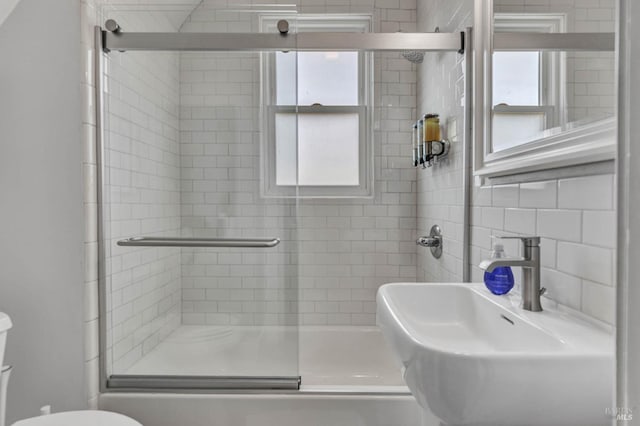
point(530, 264)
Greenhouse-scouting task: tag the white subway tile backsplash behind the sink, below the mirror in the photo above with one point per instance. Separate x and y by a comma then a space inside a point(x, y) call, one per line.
point(575, 218)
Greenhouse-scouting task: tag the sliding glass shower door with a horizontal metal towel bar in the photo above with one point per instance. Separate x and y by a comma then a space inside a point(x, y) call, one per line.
point(200, 261)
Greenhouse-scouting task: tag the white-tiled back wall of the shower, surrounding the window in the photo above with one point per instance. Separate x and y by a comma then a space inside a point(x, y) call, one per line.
point(347, 247)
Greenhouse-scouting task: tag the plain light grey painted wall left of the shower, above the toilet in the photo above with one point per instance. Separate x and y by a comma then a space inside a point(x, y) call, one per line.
point(41, 237)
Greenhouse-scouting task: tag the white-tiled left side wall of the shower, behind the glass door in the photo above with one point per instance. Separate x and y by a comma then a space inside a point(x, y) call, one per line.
point(142, 192)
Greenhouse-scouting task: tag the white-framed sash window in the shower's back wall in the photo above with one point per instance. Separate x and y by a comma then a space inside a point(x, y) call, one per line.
point(316, 117)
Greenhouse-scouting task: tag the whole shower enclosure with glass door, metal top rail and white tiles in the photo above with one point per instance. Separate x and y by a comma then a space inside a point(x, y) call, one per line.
point(255, 188)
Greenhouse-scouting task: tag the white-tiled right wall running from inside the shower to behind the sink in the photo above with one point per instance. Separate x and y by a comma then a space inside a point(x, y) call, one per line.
point(574, 216)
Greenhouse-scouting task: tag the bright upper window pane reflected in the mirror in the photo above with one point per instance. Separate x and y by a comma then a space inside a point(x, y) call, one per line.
point(516, 78)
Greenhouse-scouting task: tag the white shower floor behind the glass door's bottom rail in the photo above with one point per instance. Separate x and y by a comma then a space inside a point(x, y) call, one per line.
point(329, 359)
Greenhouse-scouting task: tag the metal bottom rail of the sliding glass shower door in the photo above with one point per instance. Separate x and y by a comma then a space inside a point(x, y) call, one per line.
point(201, 383)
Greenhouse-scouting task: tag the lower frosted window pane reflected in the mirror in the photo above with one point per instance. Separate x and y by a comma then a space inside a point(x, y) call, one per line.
point(511, 129)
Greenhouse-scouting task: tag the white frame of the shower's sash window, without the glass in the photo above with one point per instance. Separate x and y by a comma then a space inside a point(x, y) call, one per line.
point(317, 23)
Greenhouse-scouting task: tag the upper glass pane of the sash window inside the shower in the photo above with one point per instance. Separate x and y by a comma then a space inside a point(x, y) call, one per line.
point(327, 78)
